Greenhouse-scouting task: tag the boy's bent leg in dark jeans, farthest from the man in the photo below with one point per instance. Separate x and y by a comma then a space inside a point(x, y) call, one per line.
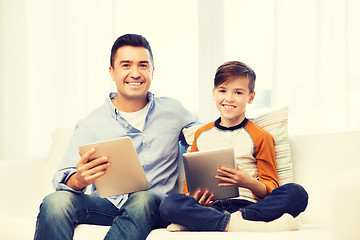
point(289, 198)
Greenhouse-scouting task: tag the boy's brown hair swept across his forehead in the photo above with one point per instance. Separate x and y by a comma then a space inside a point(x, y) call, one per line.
point(233, 69)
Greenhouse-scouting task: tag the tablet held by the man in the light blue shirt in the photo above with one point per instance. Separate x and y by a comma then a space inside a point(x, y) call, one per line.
point(125, 174)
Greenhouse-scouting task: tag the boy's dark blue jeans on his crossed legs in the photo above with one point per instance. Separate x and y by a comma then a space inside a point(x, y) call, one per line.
point(184, 210)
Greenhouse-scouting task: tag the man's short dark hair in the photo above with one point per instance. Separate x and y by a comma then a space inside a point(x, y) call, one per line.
point(133, 40)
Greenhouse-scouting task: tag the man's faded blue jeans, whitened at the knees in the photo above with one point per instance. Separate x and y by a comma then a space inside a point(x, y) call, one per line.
point(62, 211)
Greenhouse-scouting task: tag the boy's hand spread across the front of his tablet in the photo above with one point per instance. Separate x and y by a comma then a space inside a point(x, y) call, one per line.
point(234, 177)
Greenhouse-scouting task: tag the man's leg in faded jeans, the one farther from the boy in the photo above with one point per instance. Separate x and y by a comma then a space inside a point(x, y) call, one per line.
point(62, 211)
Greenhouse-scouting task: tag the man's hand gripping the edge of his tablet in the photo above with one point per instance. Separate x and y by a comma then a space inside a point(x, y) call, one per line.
point(88, 171)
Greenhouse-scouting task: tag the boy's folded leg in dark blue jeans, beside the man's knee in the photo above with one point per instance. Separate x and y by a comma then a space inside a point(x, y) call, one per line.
point(186, 211)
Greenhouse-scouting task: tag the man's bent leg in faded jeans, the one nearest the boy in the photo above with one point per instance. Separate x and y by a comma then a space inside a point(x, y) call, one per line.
point(137, 217)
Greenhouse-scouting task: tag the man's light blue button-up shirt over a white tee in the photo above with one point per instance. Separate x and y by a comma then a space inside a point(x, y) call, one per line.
point(157, 145)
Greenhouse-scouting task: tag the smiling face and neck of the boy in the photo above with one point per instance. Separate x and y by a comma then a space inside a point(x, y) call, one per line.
point(231, 98)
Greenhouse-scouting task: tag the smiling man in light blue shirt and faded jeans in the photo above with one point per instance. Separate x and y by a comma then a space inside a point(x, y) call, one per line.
point(154, 125)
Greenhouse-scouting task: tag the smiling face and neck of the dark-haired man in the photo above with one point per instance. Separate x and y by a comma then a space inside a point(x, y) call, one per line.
point(132, 73)
